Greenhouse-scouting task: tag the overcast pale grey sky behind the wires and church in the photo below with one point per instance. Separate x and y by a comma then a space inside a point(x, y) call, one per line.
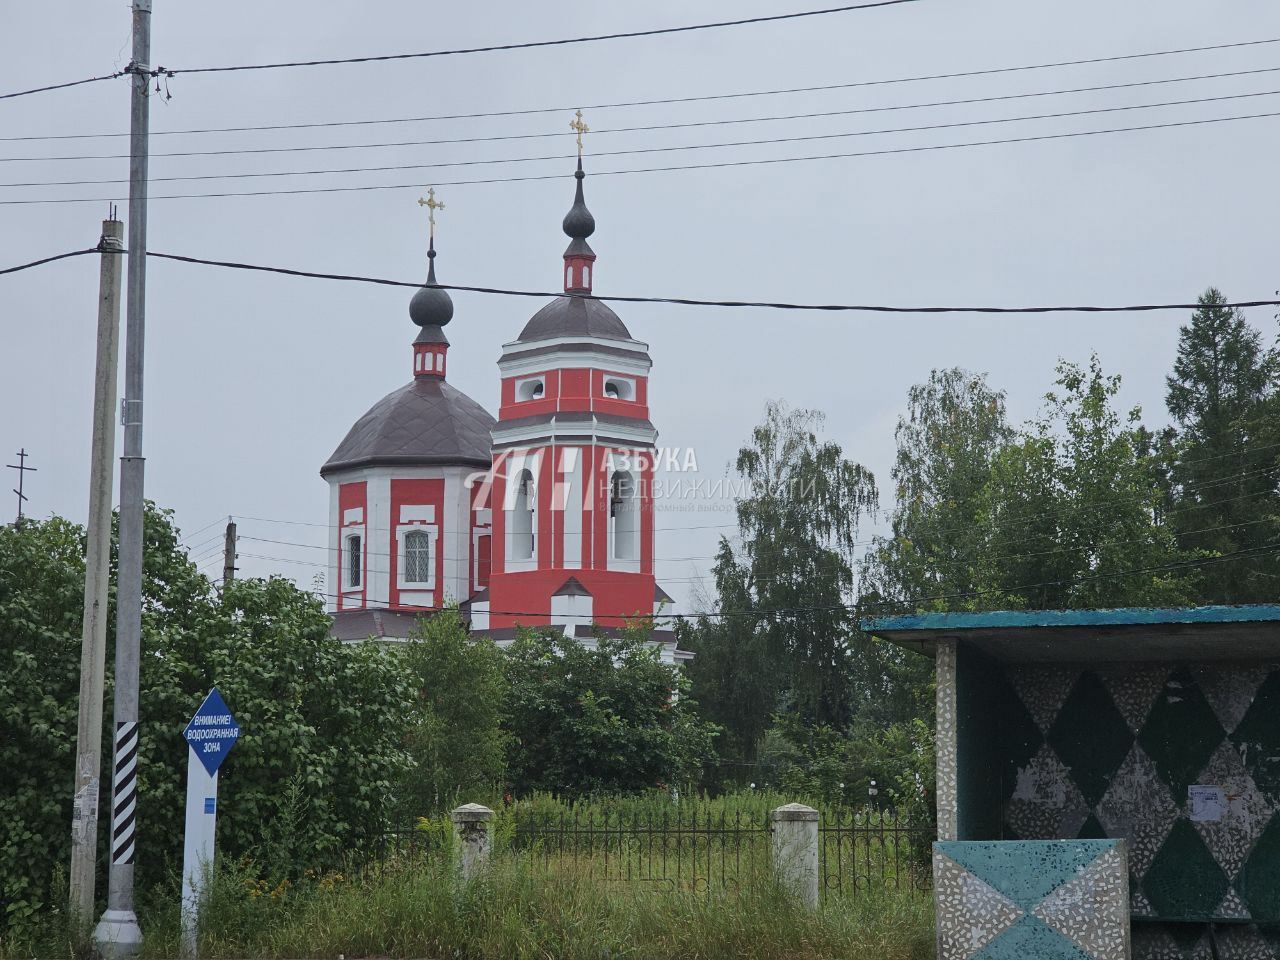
point(253, 380)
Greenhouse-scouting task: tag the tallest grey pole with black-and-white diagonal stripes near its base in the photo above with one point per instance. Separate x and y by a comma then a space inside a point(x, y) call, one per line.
point(117, 934)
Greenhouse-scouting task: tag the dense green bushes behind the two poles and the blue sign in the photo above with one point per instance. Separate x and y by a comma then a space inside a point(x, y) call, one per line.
point(322, 723)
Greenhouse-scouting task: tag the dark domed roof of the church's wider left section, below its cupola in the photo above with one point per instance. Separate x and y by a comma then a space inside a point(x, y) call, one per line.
point(424, 423)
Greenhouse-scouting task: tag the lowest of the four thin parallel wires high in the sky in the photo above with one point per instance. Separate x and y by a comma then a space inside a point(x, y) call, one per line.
point(717, 166)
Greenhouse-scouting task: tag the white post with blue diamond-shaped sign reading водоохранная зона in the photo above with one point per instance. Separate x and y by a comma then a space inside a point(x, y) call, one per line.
point(211, 737)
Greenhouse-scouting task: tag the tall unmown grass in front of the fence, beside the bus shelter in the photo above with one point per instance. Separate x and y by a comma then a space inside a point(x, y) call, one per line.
point(419, 911)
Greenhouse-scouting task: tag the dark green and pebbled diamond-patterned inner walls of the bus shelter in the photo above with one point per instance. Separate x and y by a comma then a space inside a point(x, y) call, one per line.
point(1180, 760)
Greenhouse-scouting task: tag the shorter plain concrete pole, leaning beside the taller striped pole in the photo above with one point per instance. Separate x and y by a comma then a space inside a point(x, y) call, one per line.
point(89, 733)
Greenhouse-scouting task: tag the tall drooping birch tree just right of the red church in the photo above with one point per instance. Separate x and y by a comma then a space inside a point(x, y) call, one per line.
point(787, 641)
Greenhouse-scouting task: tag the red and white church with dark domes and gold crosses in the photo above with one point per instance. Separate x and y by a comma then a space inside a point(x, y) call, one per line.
point(541, 518)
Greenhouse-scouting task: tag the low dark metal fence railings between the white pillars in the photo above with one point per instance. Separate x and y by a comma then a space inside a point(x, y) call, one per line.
point(692, 849)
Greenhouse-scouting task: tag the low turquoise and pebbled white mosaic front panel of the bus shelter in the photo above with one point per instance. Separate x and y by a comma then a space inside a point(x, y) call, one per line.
point(1017, 900)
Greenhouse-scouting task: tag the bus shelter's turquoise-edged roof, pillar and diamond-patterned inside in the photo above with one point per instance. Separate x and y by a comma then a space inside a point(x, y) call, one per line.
point(1159, 728)
